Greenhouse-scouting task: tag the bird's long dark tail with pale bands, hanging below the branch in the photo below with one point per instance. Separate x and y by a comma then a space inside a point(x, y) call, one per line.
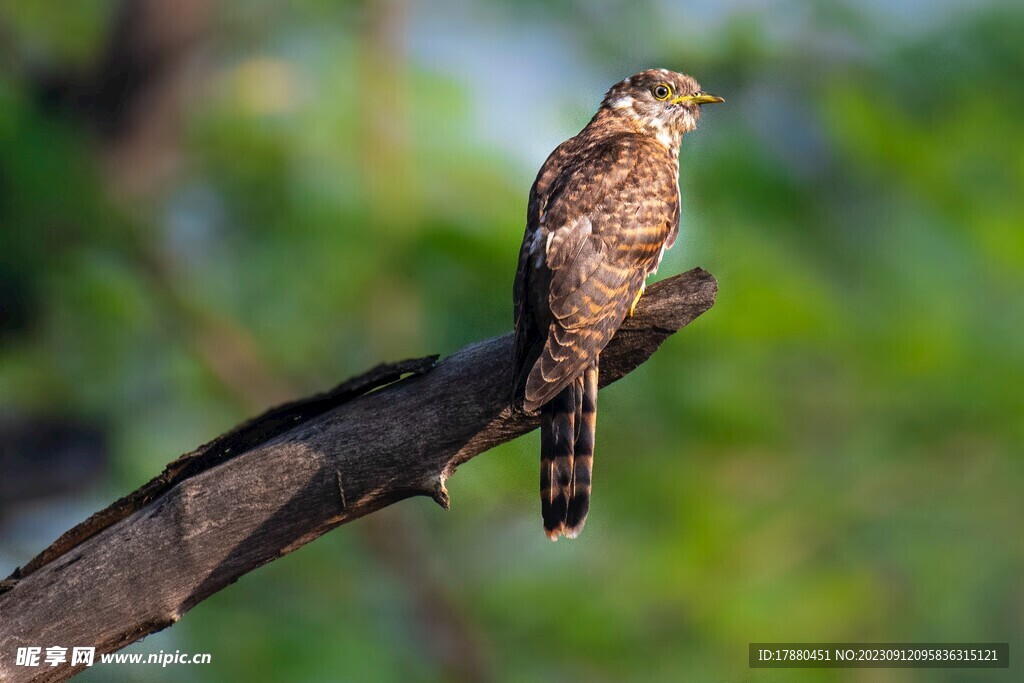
point(568, 424)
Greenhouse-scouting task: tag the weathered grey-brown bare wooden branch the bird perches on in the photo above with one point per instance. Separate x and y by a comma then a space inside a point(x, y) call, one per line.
point(285, 479)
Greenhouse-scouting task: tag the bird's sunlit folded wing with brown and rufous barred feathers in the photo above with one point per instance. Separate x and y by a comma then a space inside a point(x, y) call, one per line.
point(603, 232)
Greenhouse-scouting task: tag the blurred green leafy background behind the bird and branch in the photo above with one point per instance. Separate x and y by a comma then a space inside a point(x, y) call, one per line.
point(207, 208)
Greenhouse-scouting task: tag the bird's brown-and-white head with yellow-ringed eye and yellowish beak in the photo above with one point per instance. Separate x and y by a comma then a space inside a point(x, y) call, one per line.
point(658, 103)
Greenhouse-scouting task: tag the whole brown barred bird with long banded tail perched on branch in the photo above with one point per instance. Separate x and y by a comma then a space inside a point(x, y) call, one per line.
point(602, 214)
